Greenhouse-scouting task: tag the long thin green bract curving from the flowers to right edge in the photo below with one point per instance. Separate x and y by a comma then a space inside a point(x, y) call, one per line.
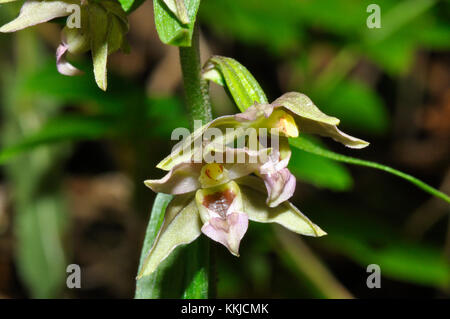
point(309, 147)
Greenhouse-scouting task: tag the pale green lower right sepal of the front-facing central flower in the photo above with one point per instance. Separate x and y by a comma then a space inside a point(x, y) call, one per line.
point(284, 214)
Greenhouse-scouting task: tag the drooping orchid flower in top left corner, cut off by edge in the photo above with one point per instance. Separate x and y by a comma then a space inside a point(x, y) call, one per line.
point(102, 28)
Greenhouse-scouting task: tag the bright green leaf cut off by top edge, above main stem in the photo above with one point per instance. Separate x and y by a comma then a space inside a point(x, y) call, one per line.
point(170, 29)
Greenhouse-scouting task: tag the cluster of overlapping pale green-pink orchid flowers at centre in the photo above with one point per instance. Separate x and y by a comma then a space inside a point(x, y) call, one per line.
point(219, 197)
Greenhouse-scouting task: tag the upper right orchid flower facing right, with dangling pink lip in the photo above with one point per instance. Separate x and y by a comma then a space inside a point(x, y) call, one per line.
point(290, 114)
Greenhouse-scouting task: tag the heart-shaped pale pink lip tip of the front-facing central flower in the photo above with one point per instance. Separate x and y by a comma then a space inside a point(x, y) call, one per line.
point(228, 231)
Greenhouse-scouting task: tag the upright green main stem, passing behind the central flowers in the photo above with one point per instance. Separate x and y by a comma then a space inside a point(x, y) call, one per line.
point(196, 88)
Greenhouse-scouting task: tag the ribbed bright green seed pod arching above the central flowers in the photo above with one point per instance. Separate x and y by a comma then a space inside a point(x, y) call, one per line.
point(239, 82)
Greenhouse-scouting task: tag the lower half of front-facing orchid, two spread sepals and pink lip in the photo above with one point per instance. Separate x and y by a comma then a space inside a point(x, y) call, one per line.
point(221, 213)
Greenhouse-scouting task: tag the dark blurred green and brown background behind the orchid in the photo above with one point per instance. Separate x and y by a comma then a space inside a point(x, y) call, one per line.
point(74, 158)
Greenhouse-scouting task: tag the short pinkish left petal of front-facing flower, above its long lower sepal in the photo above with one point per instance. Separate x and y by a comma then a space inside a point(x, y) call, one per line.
point(181, 179)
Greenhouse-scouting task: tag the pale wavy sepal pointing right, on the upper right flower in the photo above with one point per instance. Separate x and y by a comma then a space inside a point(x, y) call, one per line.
point(311, 120)
